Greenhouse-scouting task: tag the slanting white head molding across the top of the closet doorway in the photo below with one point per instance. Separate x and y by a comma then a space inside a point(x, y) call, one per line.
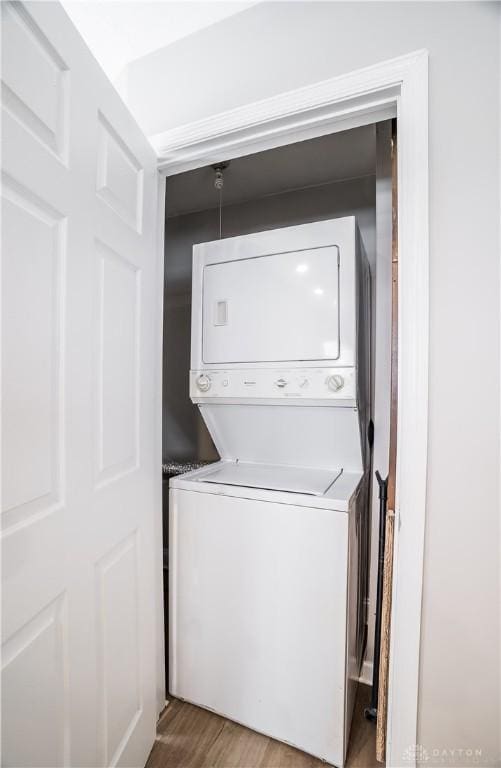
point(342, 102)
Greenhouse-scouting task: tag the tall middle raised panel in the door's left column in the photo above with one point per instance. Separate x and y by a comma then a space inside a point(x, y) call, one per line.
point(33, 245)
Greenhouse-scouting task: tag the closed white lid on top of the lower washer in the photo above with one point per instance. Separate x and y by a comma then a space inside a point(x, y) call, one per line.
point(314, 482)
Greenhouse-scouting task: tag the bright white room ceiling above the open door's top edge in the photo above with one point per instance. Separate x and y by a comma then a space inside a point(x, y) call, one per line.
point(118, 32)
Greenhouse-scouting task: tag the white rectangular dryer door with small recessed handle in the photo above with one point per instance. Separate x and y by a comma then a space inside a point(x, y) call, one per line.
point(272, 308)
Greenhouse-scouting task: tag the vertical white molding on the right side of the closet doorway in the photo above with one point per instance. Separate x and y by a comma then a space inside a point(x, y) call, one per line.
point(412, 428)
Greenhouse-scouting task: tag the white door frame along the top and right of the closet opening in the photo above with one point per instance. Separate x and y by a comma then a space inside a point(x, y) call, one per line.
point(398, 87)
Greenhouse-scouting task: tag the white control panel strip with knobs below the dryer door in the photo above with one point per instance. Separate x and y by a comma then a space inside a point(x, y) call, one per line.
point(308, 384)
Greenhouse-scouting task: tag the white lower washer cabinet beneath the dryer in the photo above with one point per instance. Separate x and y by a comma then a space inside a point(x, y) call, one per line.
point(263, 596)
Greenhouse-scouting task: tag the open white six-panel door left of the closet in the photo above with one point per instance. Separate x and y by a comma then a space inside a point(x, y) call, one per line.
point(79, 466)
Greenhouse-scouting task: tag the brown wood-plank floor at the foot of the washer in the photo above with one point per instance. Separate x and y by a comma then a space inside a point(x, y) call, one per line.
point(190, 737)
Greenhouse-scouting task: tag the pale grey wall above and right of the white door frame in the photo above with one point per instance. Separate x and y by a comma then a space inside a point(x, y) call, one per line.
point(273, 47)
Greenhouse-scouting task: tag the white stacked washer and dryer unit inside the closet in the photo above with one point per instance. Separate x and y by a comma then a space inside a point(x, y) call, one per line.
point(266, 596)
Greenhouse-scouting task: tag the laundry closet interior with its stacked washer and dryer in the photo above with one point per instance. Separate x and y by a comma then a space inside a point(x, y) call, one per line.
point(276, 414)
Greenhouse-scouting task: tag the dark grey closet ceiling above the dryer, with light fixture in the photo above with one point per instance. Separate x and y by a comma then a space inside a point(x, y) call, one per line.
point(336, 157)
